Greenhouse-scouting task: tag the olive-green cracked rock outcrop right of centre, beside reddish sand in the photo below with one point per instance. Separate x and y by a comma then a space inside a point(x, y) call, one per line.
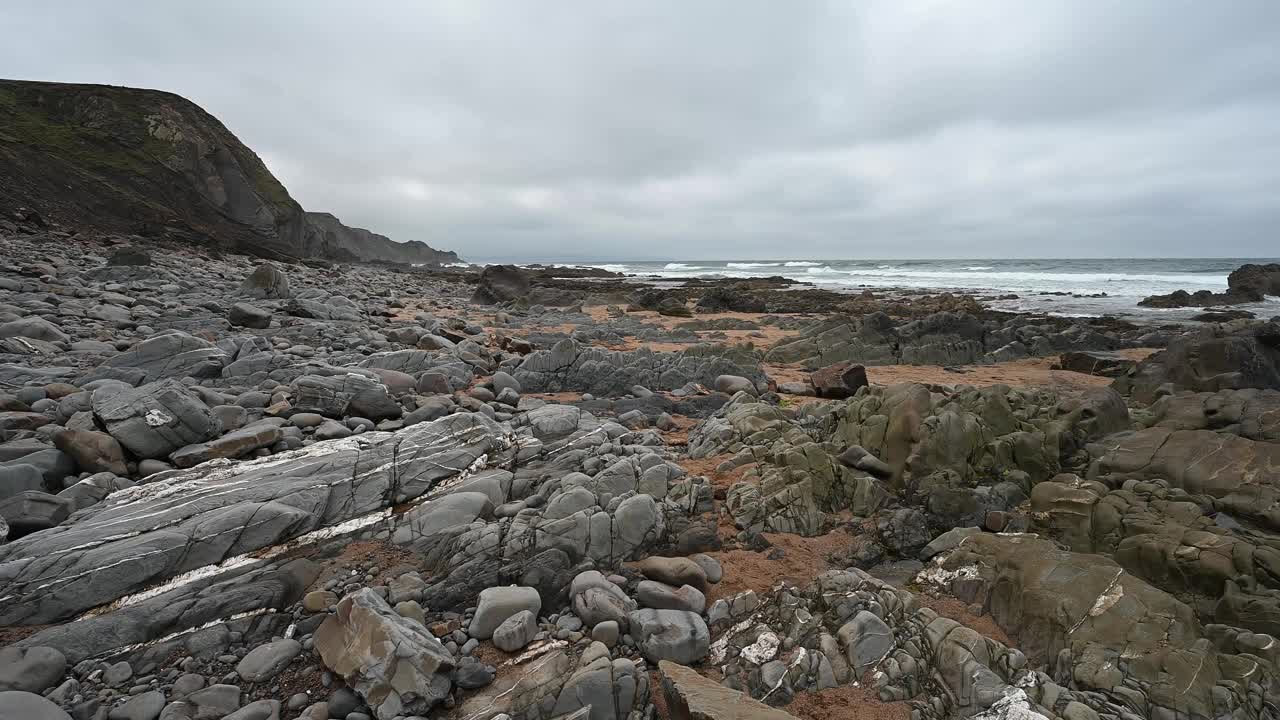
point(959, 455)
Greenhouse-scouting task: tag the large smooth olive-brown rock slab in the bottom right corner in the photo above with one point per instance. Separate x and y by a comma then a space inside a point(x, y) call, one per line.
point(1108, 631)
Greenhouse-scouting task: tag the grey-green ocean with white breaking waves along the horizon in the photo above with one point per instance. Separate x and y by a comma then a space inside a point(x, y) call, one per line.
point(1091, 288)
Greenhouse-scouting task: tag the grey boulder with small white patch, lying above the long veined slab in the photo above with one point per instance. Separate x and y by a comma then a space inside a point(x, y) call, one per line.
point(156, 420)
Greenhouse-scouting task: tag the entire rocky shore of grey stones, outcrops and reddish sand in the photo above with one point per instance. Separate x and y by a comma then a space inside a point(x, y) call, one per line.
point(234, 490)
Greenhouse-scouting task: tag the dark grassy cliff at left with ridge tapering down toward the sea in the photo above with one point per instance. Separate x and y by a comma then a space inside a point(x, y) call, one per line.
point(145, 162)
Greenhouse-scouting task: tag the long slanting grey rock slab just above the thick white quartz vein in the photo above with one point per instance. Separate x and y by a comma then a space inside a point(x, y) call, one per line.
point(191, 520)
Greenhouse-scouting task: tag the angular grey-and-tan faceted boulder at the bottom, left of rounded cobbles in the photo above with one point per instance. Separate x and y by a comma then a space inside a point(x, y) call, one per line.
point(395, 664)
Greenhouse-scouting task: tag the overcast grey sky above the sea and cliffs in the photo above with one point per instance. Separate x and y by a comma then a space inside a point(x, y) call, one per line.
point(737, 130)
